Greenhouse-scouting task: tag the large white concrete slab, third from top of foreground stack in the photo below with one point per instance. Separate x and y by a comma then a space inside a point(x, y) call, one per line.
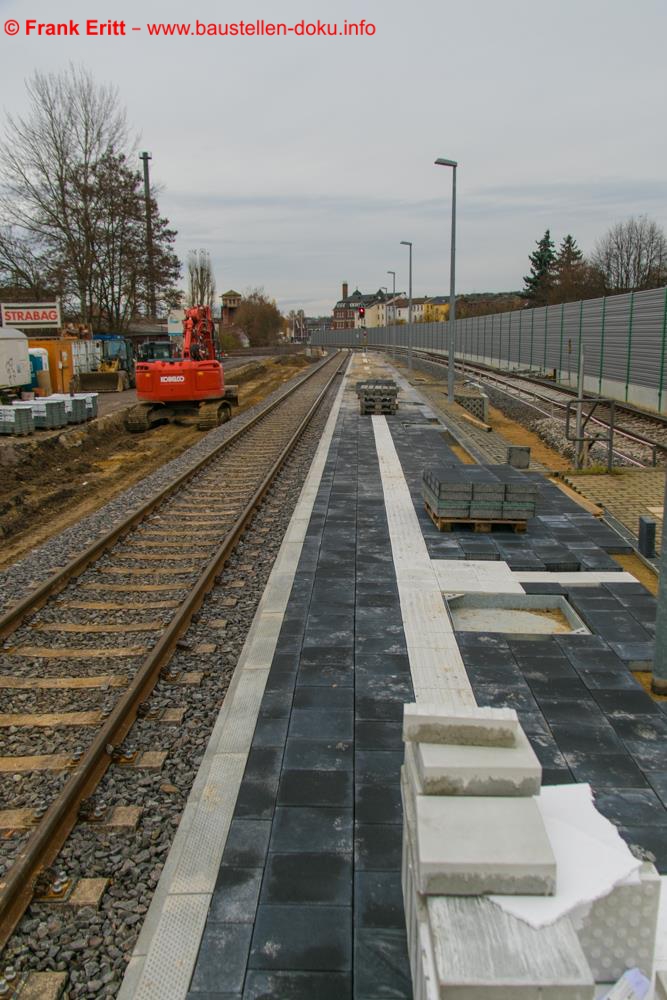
point(466, 845)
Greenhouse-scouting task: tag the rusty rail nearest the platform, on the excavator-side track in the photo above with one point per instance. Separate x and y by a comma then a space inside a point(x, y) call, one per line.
point(44, 844)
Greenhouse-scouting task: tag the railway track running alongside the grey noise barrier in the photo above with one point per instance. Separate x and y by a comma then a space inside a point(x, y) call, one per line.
point(642, 439)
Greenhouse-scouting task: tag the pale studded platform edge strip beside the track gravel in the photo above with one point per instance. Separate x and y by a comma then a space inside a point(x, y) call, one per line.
point(166, 950)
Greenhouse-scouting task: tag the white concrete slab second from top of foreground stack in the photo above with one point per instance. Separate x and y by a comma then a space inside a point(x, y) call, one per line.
point(471, 770)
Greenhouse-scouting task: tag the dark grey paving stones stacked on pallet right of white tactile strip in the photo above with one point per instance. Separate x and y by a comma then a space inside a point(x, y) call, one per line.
point(478, 493)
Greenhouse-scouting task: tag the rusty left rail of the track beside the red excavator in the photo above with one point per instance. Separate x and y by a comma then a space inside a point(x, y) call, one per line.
point(35, 599)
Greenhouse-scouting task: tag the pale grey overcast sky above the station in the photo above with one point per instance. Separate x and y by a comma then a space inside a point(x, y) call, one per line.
point(303, 162)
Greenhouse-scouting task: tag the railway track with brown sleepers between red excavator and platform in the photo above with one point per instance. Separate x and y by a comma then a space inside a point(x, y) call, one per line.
point(83, 651)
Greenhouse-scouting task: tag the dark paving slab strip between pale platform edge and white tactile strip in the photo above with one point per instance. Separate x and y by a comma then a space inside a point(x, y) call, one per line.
point(308, 903)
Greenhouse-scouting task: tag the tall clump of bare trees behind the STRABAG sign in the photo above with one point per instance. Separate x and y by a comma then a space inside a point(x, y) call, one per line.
point(72, 214)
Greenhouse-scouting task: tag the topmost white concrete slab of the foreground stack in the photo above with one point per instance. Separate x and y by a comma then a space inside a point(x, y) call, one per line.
point(434, 723)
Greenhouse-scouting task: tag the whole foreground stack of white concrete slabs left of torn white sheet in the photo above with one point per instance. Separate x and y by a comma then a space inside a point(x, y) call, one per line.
point(472, 826)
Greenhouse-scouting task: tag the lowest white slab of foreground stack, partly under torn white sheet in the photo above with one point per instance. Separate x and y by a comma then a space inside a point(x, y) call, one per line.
point(482, 953)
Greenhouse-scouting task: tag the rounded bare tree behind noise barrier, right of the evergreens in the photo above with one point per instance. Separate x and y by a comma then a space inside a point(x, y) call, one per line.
point(632, 256)
